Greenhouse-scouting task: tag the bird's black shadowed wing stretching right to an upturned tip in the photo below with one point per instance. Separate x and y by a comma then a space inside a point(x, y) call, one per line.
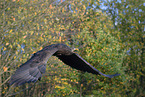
point(77, 62)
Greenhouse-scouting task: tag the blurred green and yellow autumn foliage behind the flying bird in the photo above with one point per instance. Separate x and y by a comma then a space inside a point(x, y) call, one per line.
point(109, 35)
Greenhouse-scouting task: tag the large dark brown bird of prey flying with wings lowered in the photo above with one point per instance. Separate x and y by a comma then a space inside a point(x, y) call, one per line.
point(32, 70)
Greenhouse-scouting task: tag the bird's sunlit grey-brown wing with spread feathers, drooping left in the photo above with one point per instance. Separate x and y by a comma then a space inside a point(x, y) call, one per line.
point(33, 69)
